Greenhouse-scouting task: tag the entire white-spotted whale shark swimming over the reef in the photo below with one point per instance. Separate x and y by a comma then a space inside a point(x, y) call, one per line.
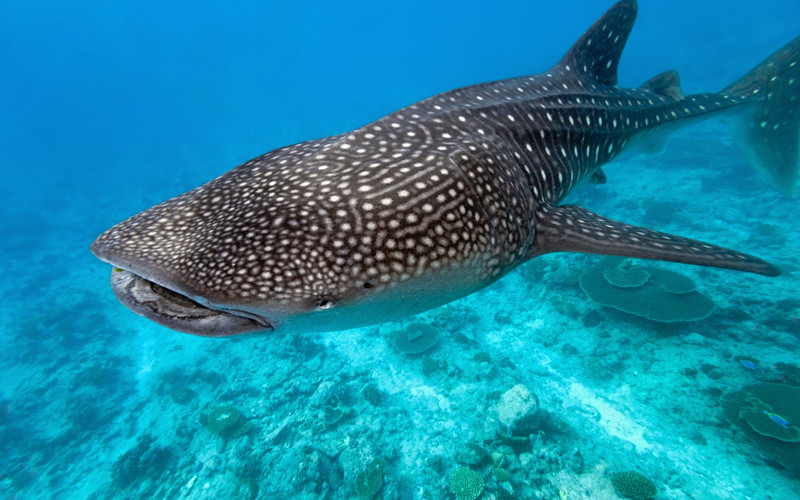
point(438, 199)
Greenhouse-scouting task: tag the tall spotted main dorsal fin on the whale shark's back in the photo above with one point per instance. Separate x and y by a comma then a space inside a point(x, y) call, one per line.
point(595, 56)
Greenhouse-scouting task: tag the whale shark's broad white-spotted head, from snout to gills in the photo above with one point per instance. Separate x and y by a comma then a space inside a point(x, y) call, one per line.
point(314, 236)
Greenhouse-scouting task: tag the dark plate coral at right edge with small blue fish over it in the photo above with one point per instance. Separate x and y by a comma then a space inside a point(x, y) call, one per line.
point(769, 414)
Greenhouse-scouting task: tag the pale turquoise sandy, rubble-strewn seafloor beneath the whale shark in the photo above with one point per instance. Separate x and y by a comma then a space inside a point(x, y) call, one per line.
point(99, 403)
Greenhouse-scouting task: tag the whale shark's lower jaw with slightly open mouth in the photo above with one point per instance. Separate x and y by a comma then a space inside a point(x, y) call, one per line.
point(178, 312)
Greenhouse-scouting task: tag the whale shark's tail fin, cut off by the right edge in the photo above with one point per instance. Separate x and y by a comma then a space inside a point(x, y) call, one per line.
point(770, 131)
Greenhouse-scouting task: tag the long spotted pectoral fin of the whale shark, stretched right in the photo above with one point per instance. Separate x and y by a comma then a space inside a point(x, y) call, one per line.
point(570, 228)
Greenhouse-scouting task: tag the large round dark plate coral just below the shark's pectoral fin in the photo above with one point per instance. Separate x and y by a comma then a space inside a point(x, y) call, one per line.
point(648, 292)
